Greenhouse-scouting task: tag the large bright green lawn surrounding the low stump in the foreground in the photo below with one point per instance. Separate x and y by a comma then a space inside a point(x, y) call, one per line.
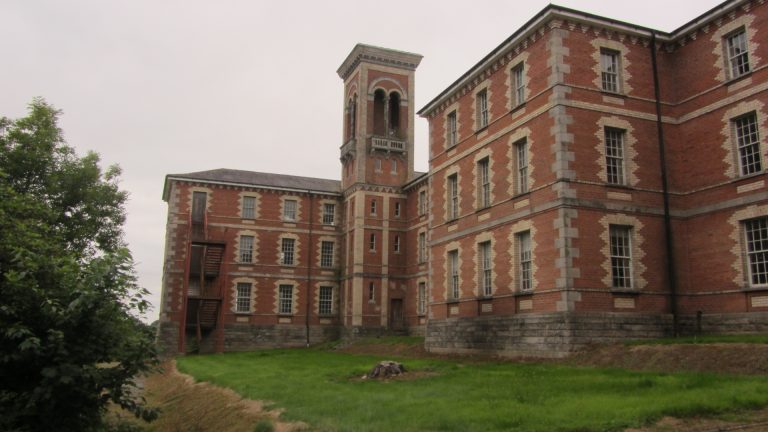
point(323, 389)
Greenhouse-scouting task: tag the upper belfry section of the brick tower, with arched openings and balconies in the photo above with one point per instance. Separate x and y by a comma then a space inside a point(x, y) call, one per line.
point(378, 116)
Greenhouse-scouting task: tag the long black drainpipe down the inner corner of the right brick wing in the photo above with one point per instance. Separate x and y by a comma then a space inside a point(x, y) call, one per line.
point(671, 273)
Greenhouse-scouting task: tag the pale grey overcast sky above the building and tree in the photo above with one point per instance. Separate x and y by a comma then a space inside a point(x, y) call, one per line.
point(163, 87)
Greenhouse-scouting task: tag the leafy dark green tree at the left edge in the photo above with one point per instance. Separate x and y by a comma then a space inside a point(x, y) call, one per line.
point(69, 340)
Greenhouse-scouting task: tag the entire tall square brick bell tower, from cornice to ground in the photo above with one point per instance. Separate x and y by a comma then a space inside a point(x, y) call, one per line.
point(376, 161)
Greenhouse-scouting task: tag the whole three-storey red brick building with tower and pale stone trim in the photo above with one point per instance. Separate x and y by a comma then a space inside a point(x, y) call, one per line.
point(589, 180)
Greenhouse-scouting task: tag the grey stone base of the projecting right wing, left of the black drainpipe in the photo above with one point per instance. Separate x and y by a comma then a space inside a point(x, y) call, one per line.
point(540, 335)
